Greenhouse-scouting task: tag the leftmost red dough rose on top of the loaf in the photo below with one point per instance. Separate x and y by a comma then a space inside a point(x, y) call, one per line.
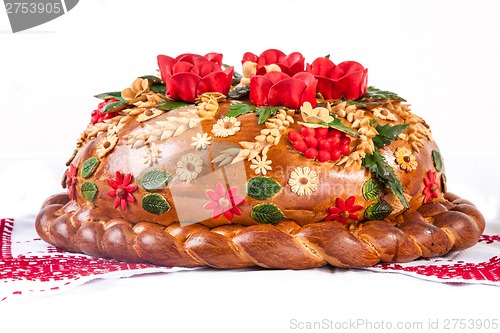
point(190, 75)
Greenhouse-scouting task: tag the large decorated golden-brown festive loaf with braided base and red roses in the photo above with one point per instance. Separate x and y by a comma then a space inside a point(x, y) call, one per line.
point(204, 167)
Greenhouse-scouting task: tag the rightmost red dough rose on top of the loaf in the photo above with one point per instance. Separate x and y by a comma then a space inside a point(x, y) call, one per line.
point(348, 79)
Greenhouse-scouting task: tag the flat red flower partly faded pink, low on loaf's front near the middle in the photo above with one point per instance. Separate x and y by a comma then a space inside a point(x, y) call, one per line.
point(224, 202)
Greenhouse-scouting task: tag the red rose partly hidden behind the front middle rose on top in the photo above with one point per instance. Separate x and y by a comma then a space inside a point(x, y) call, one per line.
point(291, 64)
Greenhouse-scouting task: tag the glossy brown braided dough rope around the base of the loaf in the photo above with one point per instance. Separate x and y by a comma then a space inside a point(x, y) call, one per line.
point(433, 230)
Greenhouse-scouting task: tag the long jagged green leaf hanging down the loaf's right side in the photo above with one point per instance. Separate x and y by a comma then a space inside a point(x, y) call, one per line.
point(385, 174)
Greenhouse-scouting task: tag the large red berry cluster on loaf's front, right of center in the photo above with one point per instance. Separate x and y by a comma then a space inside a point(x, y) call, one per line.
point(321, 144)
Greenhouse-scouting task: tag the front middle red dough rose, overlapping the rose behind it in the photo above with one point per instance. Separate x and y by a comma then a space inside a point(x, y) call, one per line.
point(280, 89)
